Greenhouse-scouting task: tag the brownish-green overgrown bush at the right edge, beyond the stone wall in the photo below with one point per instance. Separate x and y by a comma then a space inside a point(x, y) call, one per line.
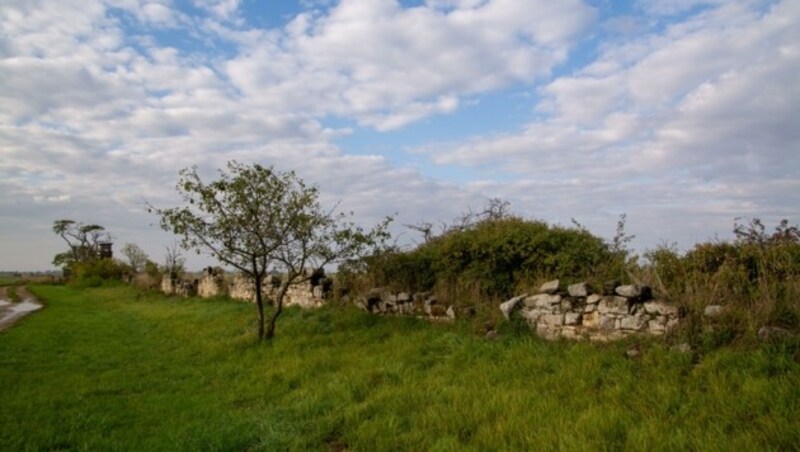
point(756, 277)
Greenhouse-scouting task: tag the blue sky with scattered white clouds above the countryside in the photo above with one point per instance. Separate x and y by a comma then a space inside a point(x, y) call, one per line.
point(682, 114)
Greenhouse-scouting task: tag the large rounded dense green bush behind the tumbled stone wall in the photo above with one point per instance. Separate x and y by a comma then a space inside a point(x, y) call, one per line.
point(489, 260)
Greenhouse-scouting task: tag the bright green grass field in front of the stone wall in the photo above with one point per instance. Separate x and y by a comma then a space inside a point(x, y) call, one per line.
point(111, 368)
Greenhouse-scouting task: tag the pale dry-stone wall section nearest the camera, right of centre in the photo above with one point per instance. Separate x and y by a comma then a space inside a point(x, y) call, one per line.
point(575, 312)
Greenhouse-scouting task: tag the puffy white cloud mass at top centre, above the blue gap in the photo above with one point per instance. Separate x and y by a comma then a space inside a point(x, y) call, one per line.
point(388, 66)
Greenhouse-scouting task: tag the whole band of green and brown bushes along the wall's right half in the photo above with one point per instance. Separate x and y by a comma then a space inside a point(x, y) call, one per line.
point(755, 276)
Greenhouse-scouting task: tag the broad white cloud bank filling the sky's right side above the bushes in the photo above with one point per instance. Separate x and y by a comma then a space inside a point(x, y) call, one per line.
point(696, 119)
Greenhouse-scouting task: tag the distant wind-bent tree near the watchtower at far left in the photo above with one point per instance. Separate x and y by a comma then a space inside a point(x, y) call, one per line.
point(83, 241)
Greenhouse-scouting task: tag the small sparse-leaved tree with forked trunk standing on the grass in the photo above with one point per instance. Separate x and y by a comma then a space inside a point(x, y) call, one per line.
point(257, 219)
